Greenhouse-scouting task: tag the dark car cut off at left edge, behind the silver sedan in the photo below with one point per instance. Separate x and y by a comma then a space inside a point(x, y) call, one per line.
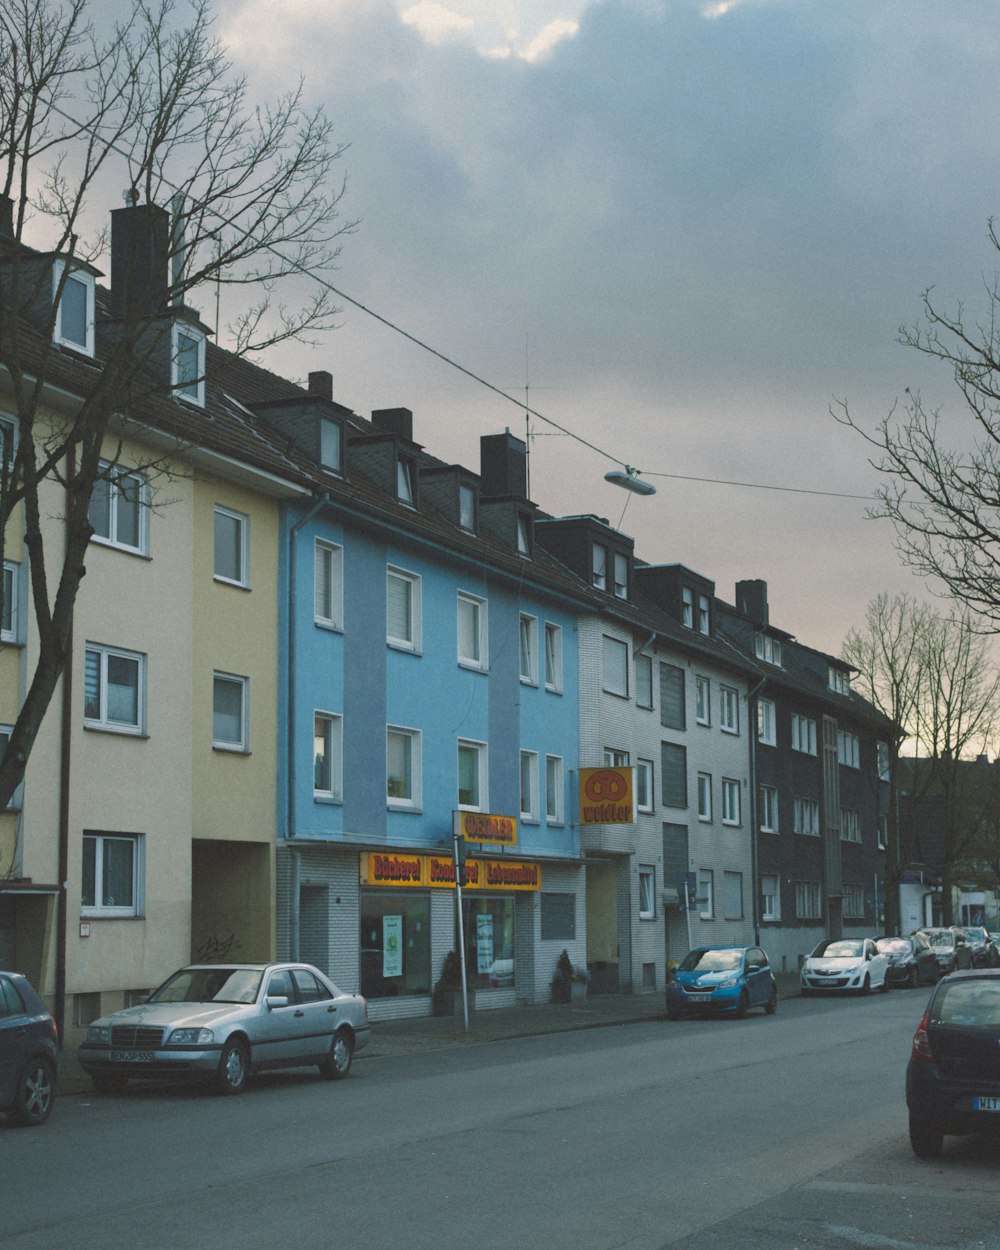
point(29, 1052)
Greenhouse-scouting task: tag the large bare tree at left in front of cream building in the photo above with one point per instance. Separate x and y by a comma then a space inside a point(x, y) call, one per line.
point(154, 107)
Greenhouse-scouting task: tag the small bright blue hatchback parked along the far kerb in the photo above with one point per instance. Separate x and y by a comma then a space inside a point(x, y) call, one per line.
point(722, 979)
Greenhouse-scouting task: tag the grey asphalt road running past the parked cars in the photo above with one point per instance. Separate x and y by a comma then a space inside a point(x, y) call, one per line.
point(787, 1132)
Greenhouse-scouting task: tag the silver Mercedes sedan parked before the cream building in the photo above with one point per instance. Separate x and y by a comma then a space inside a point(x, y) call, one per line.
point(223, 1022)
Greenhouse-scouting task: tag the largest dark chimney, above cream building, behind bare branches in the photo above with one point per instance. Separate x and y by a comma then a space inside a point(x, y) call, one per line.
point(141, 248)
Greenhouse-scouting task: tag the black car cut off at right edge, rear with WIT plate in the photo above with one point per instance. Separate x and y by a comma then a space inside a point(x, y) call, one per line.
point(953, 1079)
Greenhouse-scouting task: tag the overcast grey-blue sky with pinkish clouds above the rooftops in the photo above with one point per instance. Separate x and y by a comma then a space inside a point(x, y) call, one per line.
point(689, 227)
